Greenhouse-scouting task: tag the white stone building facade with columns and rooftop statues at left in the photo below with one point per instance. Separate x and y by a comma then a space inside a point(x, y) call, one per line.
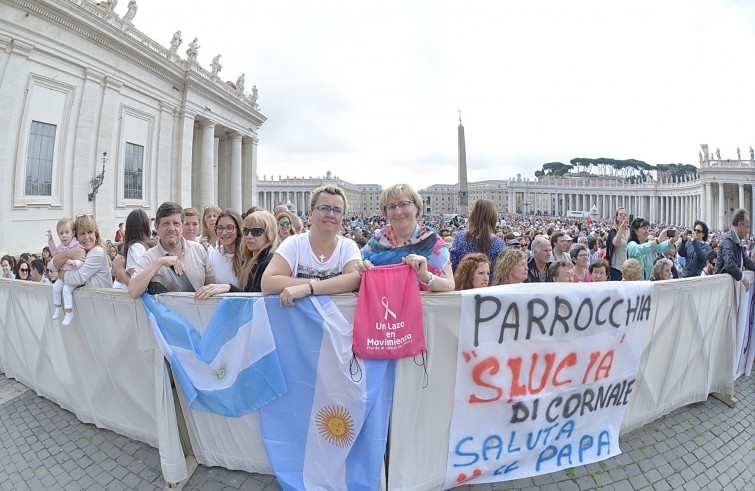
point(99, 118)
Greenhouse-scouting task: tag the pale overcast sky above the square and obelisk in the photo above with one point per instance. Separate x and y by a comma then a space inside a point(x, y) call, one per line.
point(371, 91)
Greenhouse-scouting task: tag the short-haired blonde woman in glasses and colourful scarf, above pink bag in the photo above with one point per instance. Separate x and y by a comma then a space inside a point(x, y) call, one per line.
point(405, 241)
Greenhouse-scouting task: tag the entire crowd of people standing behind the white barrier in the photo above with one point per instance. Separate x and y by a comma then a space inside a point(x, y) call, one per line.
point(327, 250)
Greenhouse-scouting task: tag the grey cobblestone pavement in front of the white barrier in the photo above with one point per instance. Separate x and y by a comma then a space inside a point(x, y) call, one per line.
point(701, 446)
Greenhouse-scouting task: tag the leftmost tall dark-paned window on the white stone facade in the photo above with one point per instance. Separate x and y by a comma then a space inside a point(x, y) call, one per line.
point(39, 159)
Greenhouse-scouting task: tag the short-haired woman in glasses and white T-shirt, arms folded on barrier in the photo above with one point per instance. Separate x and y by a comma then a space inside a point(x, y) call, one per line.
point(319, 261)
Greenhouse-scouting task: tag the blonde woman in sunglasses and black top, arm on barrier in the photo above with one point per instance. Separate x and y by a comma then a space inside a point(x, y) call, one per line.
point(259, 243)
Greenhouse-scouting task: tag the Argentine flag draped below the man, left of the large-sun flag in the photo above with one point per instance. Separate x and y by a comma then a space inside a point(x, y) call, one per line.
point(231, 370)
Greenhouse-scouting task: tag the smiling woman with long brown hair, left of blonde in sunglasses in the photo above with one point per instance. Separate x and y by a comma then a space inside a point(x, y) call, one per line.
point(227, 258)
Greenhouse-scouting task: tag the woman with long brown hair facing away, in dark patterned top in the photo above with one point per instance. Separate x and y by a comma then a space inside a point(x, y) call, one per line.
point(480, 235)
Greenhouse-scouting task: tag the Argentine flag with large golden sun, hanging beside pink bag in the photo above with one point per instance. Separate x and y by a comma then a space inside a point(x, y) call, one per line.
point(329, 431)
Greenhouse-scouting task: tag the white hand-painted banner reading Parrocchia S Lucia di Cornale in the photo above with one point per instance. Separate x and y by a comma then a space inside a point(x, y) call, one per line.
point(544, 374)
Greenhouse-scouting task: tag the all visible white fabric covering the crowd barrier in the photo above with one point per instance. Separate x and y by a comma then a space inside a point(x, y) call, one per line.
point(109, 371)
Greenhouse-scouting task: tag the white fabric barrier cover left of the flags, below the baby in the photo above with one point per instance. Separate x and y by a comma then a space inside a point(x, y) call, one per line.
point(105, 367)
